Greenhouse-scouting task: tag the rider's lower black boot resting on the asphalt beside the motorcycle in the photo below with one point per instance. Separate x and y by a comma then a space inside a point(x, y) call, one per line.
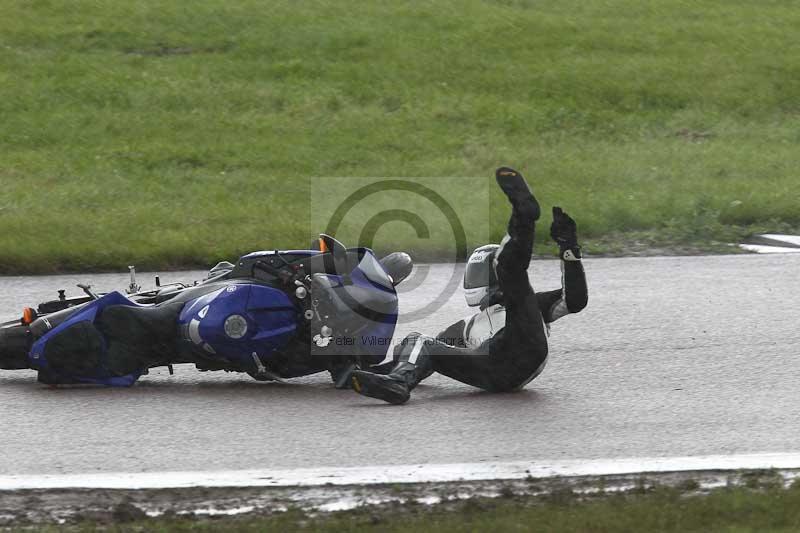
point(413, 365)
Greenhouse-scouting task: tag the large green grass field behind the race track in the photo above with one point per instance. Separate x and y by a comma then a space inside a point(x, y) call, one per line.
point(177, 133)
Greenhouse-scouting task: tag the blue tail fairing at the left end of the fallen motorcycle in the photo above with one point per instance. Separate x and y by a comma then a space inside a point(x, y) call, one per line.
point(88, 313)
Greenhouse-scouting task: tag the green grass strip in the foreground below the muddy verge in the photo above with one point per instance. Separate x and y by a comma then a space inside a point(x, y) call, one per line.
point(663, 510)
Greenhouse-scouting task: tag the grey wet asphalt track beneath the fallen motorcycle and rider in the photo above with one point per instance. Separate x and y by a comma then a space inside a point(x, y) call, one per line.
point(673, 356)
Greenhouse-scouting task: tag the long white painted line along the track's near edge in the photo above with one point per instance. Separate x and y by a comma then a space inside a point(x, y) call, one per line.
point(420, 473)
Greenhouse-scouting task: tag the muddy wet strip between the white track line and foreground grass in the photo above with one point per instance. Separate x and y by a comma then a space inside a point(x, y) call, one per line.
point(66, 506)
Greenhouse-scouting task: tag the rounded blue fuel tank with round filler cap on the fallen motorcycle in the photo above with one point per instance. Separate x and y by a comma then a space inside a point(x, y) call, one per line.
point(239, 319)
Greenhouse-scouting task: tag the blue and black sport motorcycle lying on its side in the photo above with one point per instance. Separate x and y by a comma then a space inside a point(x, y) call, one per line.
point(273, 314)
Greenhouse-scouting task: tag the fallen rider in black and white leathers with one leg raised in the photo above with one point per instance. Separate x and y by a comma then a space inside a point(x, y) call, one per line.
point(503, 347)
